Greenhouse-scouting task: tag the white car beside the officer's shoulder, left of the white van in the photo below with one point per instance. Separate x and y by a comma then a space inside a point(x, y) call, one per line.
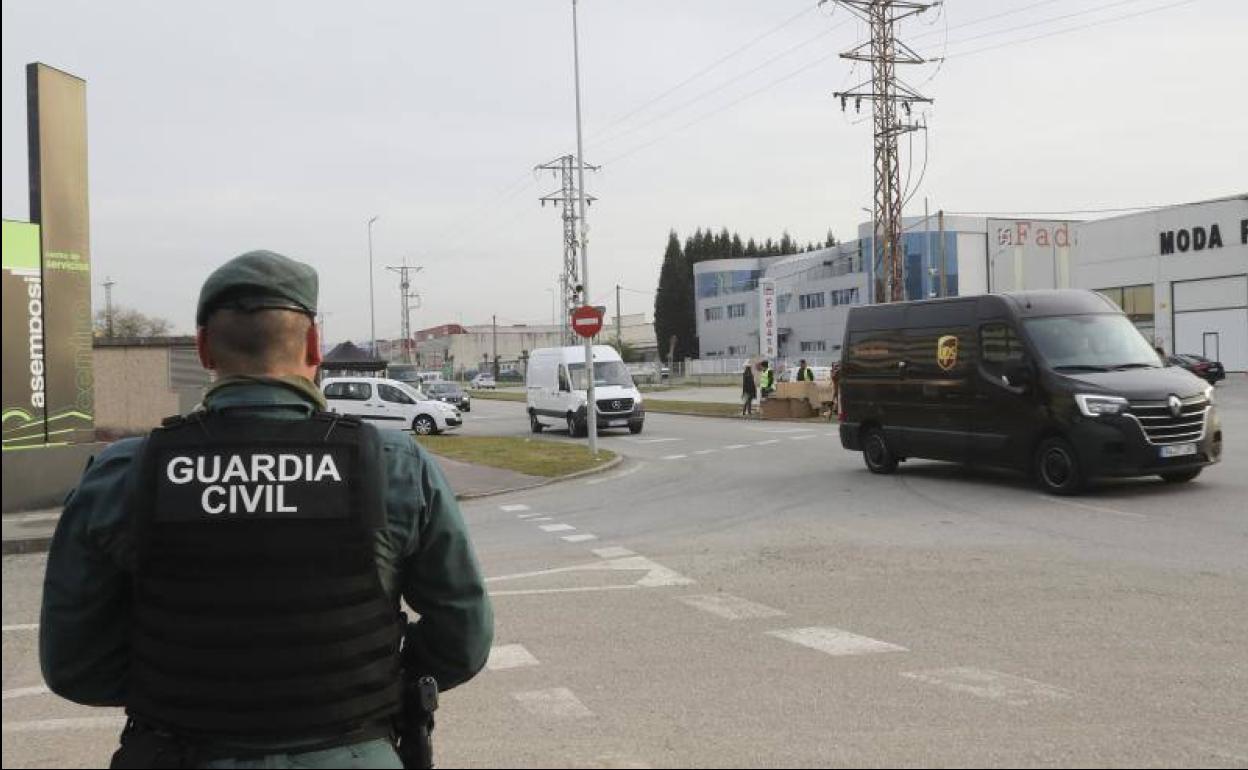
point(390, 404)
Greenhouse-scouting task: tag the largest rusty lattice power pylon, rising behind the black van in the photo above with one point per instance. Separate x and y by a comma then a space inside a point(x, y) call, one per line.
point(888, 94)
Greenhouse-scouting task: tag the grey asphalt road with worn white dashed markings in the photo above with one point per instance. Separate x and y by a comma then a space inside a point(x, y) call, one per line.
point(746, 593)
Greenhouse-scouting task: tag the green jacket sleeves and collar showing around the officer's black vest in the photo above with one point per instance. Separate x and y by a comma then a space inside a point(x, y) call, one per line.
point(424, 556)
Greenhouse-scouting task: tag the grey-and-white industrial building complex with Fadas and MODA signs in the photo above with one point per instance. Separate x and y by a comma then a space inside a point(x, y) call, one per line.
point(1180, 273)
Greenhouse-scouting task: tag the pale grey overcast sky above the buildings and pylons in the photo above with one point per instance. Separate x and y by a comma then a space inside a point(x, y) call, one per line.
point(219, 128)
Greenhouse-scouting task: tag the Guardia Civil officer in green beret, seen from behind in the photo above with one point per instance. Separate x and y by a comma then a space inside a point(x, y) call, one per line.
point(234, 580)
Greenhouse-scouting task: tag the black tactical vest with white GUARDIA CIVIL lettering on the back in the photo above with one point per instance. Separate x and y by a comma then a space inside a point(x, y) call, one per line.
point(259, 612)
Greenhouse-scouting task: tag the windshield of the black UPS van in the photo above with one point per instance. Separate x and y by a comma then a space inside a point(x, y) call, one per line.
point(1091, 344)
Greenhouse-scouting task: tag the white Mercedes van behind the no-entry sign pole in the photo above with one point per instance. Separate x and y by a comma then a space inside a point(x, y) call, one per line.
point(556, 384)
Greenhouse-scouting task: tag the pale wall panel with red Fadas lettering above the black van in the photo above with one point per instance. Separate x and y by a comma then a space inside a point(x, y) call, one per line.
point(1029, 254)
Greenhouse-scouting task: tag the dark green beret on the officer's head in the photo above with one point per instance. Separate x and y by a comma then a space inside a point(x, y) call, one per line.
point(259, 280)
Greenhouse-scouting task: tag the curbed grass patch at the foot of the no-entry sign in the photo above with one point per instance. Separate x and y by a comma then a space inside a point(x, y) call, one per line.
point(535, 457)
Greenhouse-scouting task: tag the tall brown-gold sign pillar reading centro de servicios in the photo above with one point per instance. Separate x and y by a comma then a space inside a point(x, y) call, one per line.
point(57, 137)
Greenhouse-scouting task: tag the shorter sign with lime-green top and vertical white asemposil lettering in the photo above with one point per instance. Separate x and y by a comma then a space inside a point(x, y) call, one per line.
point(24, 374)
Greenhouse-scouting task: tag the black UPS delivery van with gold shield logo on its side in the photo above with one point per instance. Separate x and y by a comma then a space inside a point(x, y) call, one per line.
point(1058, 384)
